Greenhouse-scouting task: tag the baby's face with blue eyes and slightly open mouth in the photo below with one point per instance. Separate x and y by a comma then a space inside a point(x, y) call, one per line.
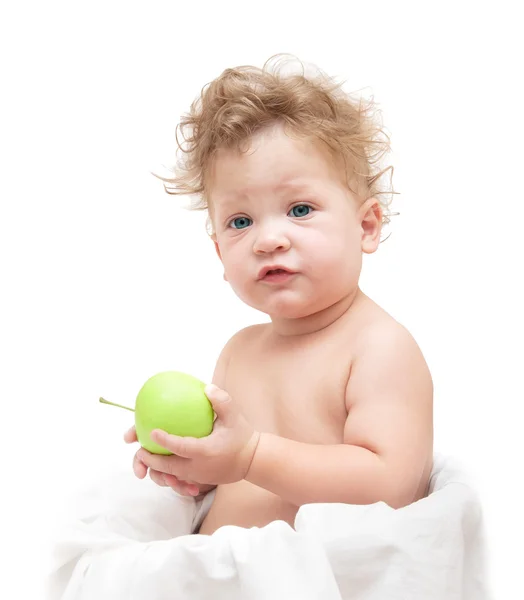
point(284, 204)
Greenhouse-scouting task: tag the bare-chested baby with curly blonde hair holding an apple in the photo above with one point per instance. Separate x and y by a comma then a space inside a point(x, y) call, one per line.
point(332, 400)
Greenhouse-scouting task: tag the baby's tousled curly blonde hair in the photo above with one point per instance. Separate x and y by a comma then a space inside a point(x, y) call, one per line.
point(244, 100)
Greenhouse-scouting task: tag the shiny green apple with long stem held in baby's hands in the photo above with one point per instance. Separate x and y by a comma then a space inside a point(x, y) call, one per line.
point(174, 402)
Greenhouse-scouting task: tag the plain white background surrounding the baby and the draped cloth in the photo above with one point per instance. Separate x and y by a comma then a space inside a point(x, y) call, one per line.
point(107, 280)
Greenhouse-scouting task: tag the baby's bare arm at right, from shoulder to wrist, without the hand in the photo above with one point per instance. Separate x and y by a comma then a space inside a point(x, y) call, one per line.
point(388, 434)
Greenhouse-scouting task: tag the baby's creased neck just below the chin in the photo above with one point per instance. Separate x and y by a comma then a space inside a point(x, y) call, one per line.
point(319, 320)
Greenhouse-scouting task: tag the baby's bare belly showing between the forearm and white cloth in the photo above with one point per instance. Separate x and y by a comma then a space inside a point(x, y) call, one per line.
point(246, 505)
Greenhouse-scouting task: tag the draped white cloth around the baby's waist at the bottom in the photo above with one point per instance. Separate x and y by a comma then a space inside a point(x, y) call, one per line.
point(130, 541)
